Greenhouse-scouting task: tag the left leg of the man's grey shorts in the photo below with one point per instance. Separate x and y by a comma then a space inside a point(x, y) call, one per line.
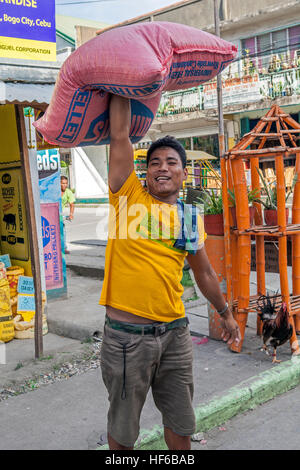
point(127, 364)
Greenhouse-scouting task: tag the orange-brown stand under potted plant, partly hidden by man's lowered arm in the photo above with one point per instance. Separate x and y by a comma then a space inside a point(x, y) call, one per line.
point(215, 249)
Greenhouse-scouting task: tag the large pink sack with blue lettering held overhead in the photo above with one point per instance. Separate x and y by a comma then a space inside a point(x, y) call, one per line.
point(139, 61)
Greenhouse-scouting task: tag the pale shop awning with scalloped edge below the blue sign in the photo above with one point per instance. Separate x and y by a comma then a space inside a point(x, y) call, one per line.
point(28, 94)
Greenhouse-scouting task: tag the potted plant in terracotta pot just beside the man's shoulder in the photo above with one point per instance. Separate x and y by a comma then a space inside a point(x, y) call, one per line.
point(213, 212)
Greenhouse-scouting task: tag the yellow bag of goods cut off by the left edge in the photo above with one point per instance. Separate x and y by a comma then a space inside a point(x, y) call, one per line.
point(7, 332)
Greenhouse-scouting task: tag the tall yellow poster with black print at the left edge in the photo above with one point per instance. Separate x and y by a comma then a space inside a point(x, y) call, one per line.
point(13, 222)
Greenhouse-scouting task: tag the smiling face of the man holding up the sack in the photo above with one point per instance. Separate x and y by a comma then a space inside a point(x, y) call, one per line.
point(165, 174)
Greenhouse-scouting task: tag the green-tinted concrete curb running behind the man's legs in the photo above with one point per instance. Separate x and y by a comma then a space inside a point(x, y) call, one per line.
point(243, 397)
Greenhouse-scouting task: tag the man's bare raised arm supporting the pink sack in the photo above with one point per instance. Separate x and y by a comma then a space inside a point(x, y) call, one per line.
point(121, 150)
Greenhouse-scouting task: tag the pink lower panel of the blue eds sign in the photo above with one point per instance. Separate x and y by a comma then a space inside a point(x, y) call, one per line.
point(52, 246)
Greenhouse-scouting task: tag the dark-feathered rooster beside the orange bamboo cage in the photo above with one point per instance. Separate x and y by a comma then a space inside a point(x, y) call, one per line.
point(275, 327)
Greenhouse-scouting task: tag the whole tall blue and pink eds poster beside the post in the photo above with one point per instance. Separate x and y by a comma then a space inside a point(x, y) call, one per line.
point(48, 163)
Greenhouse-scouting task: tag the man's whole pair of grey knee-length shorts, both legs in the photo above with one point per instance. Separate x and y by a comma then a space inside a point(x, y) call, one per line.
point(133, 363)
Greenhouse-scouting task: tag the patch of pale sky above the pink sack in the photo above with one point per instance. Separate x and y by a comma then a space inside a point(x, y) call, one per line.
point(109, 11)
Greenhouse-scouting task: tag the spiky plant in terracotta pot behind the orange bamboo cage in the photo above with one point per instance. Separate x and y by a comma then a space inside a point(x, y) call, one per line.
point(270, 202)
